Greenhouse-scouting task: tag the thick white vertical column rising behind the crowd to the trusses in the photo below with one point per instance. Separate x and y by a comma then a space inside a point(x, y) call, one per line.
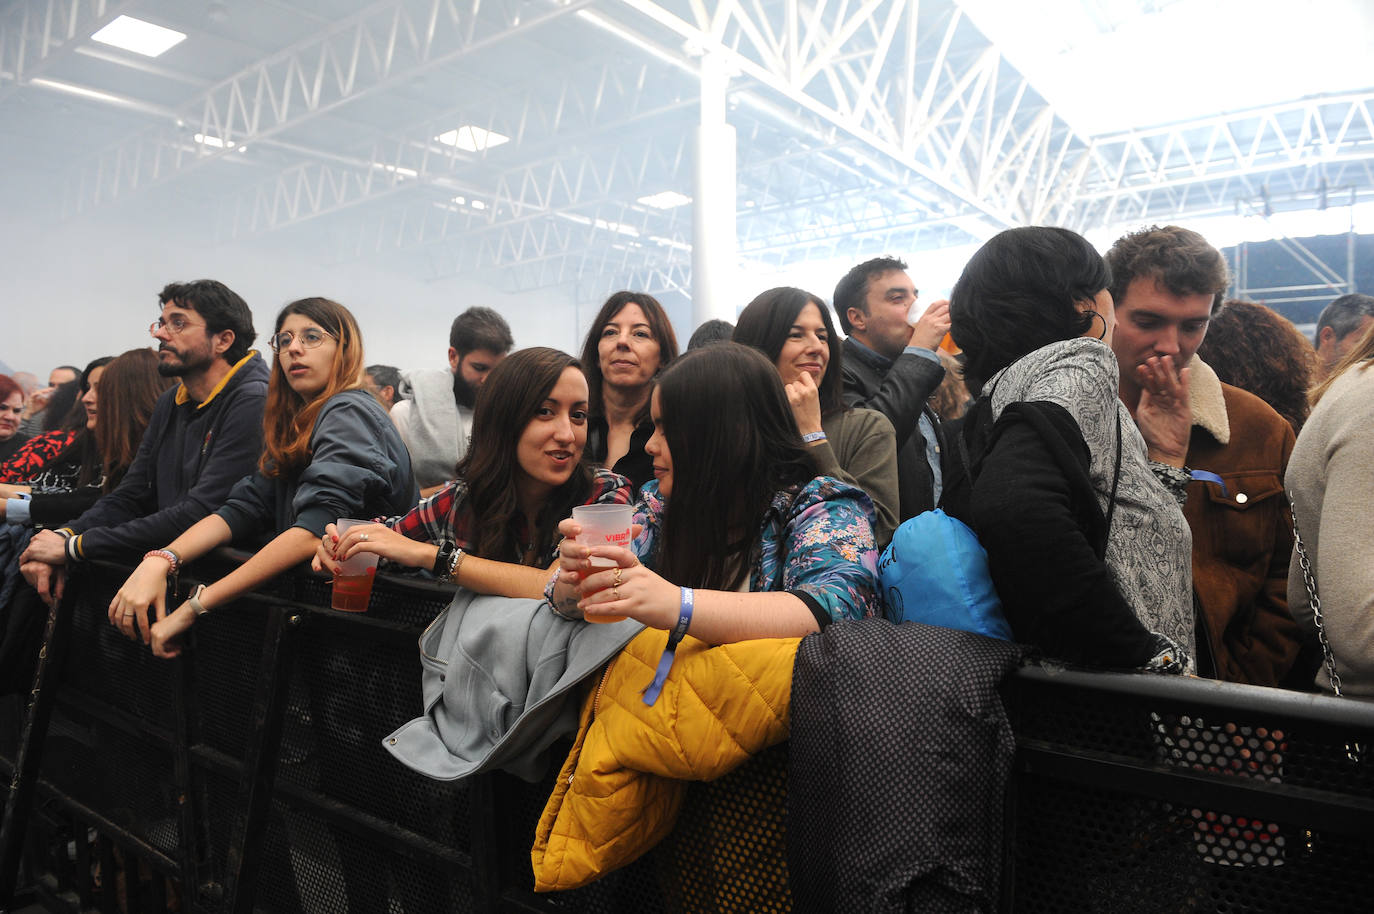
point(714, 201)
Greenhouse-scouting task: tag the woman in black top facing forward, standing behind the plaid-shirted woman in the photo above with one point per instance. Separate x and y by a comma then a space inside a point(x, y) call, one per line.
point(630, 343)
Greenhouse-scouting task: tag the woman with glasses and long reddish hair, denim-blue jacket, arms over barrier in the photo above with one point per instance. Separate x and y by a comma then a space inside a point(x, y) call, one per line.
point(329, 452)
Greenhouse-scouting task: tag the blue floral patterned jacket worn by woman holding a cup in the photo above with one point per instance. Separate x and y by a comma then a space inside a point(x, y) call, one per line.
point(817, 544)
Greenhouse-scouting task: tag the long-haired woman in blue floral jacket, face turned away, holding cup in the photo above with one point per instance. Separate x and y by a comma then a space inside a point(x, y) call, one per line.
point(740, 534)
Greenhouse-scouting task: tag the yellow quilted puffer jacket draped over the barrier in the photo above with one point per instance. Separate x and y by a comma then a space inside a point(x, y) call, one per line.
point(623, 784)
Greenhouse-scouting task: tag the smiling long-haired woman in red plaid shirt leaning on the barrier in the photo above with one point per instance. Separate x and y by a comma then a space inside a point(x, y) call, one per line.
point(494, 530)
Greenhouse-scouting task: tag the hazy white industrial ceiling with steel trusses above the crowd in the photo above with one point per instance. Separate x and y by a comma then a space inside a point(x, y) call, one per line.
point(539, 144)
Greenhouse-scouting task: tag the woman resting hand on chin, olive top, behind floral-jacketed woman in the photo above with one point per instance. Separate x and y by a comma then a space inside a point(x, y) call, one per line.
point(859, 447)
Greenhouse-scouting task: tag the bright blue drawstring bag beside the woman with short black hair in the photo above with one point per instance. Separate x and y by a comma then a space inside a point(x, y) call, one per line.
point(936, 572)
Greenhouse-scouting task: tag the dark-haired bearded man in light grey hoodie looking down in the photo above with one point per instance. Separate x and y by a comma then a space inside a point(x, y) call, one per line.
point(436, 417)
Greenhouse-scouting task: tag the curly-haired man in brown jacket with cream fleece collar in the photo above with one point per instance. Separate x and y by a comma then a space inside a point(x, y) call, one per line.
point(1169, 284)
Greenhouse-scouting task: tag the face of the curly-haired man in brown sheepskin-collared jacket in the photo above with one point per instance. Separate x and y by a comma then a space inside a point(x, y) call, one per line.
point(1155, 322)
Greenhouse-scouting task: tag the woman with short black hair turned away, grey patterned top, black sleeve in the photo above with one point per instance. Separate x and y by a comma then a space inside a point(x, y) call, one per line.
point(1086, 537)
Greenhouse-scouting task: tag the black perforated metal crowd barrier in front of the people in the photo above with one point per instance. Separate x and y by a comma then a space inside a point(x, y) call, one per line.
point(249, 776)
